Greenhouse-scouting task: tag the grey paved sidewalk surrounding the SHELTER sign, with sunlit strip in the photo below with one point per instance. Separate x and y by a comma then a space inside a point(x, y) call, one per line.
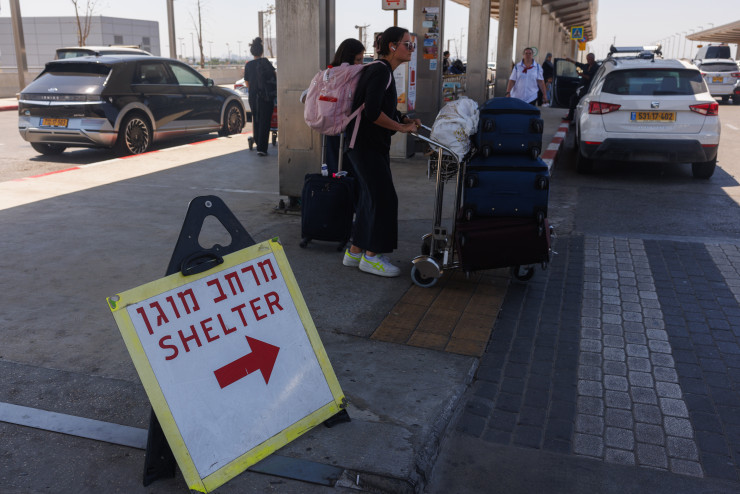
point(94, 230)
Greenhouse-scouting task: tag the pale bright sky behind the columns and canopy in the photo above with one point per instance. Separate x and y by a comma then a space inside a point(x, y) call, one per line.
point(628, 22)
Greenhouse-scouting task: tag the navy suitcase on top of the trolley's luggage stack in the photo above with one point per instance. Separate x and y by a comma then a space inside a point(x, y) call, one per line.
point(509, 126)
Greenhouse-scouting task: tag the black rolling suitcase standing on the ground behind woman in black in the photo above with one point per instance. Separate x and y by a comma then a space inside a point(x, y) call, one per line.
point(327, 205)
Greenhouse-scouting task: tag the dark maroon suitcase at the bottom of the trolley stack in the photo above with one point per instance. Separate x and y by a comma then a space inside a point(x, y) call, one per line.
point(489, 243)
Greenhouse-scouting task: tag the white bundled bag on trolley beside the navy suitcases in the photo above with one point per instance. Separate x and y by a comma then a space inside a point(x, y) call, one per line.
point(454, 125)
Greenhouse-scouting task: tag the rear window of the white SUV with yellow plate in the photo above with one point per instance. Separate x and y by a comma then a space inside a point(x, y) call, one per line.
point(654, 82)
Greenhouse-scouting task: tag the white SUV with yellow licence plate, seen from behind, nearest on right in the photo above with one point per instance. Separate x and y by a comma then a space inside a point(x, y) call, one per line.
point(648, 110)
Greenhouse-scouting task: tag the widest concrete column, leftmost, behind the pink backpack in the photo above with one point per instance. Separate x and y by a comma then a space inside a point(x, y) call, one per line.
point(310, 25)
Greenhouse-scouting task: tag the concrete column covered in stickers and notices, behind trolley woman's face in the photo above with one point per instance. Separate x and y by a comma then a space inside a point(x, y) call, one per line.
point(428, 71)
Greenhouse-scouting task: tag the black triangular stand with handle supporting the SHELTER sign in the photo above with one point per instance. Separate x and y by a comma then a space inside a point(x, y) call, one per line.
point(189, 258)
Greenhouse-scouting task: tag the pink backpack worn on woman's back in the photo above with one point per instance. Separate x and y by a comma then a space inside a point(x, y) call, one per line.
point(329, 100)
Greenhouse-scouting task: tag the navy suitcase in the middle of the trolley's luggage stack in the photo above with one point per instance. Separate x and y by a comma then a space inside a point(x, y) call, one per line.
point(505, 186)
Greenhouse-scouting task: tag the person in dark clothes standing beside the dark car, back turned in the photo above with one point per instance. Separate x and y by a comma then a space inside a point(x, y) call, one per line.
point(259, 76)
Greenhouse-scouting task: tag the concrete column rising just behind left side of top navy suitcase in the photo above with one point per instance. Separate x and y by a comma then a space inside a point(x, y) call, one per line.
point(478, 29)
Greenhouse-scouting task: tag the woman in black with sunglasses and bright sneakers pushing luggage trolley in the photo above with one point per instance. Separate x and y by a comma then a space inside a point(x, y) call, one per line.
point(376, 222)
